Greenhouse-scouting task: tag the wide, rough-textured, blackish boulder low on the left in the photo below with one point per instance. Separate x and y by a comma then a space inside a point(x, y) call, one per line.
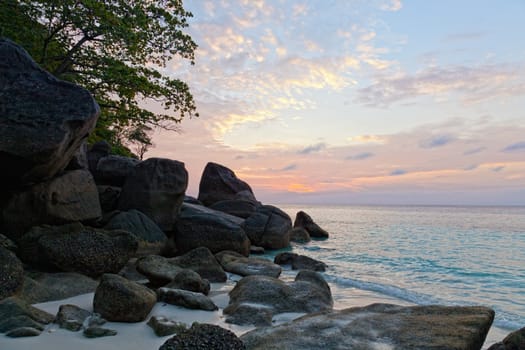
point(78, 248)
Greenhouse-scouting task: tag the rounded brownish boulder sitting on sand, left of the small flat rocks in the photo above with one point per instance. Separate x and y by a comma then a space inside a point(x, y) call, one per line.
point(120, 300)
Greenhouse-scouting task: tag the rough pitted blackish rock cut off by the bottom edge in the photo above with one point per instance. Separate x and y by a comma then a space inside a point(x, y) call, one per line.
point(204, 337)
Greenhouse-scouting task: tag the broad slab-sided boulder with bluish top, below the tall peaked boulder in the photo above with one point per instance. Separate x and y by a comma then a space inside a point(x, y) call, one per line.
point(198, 226)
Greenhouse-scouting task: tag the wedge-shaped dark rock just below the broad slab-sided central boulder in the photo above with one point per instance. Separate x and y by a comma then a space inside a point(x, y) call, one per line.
point(202, 261)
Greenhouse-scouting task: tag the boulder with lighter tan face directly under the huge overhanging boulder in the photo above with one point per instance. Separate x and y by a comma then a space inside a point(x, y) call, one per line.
point(70, 197)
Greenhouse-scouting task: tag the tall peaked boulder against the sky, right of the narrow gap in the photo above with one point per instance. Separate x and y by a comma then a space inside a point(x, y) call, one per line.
point(219, 183)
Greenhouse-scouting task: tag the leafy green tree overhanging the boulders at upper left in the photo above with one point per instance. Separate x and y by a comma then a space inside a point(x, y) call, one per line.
point(117, 49)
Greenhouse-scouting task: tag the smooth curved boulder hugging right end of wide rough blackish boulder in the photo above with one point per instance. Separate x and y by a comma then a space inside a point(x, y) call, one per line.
point(150, 237)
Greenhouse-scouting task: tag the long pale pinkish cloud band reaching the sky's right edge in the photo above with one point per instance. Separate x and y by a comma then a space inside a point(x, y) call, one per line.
point(471, 84)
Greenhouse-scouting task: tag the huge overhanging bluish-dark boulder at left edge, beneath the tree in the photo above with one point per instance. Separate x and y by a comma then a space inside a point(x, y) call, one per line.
point(43, 120)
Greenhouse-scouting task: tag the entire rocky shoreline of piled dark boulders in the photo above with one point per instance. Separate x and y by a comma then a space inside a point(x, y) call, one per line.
point(78, 220)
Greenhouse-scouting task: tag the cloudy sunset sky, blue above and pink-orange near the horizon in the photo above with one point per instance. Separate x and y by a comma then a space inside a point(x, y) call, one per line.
point(357, 101)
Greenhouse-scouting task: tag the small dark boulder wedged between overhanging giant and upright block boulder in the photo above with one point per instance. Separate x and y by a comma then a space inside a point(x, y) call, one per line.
point(112, 170)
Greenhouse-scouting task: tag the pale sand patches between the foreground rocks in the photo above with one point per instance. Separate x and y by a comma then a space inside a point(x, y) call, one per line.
point(139, 336)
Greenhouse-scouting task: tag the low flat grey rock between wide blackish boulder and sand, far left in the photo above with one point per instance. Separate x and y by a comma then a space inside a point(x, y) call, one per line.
point(42, 287)
